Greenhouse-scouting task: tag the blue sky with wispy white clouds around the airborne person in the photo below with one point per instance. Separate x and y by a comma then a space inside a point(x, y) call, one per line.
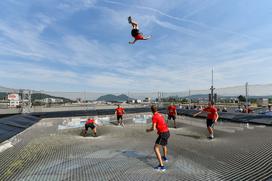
point(82, 45)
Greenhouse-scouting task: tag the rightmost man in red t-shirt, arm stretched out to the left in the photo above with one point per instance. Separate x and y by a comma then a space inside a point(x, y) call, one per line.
point(212, 117)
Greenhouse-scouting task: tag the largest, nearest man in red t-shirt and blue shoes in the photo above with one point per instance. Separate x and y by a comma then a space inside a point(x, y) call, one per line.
point(158, 123)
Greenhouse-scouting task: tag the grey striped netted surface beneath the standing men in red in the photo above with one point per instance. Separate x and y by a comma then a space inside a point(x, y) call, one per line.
point(53, 149)
